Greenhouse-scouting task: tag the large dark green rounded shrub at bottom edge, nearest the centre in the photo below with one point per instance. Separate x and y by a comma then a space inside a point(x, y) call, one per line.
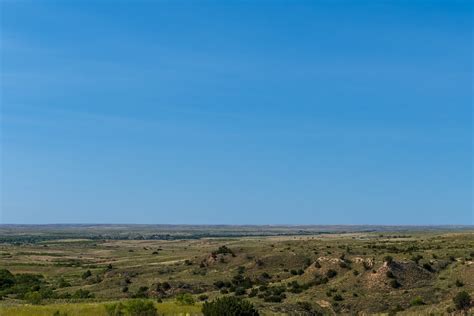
point(229, 306)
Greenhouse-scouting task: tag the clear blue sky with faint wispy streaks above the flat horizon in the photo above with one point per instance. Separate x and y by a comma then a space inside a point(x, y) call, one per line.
point(237, 112)
